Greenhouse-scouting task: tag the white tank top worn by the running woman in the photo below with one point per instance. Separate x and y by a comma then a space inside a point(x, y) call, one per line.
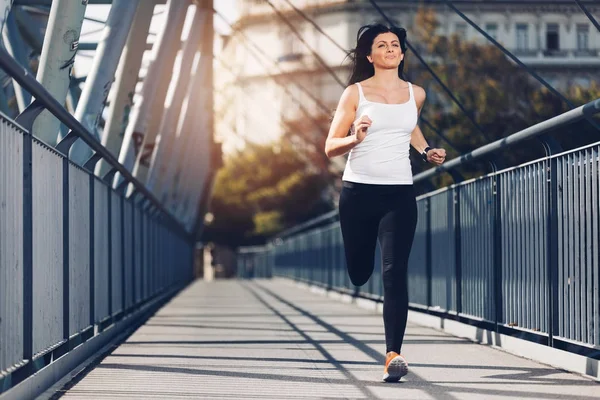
point(383, 156)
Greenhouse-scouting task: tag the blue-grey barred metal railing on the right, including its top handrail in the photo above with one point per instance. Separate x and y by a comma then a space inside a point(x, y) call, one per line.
point(516, 251)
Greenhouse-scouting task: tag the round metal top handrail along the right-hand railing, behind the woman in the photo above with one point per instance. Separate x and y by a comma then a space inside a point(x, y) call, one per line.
point(586, 110)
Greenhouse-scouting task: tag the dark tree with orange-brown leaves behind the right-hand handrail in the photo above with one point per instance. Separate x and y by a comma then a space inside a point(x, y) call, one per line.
point(501, 97)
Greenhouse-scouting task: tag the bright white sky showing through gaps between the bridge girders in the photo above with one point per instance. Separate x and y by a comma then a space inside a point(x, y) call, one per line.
point(92, 31)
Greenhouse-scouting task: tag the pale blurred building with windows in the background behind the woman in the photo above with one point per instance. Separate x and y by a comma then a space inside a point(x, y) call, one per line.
point(554, 37)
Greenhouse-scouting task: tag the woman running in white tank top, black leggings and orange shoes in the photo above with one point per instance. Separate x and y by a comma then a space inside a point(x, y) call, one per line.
point(380, 110)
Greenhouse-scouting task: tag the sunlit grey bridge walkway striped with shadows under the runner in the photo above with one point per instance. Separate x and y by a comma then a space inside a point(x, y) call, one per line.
point(272, 340)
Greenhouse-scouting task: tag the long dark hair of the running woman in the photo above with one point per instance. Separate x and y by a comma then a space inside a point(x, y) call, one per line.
point(361, 67)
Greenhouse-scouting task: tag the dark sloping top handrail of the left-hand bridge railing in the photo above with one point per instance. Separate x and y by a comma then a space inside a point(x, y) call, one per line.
point(43, 97)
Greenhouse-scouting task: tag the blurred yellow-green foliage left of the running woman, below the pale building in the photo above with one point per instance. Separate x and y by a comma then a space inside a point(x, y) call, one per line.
point(262, 190)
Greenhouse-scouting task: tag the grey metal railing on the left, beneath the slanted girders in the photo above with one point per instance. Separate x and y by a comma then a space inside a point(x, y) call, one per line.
point(78, 259)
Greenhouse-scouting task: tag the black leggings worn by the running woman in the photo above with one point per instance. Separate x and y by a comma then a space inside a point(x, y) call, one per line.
point(387, 212)
